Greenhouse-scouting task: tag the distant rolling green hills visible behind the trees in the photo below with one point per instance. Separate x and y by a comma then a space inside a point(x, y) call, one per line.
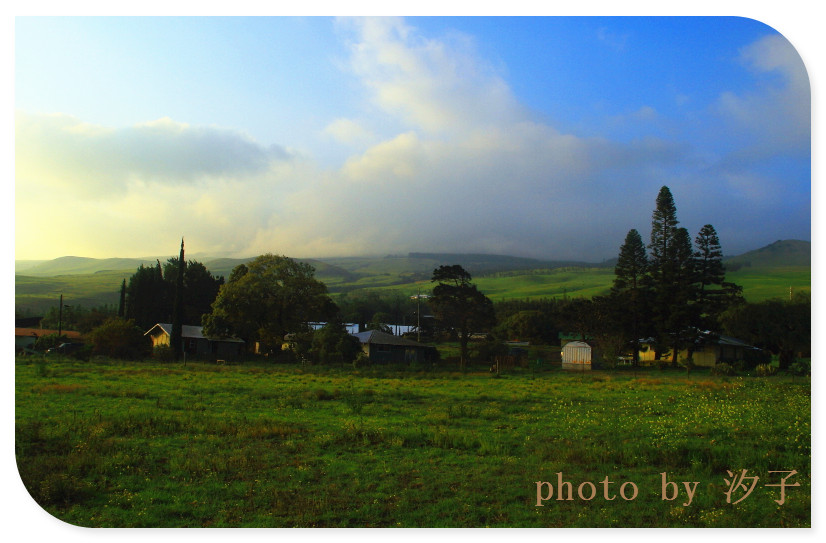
point(770, 272)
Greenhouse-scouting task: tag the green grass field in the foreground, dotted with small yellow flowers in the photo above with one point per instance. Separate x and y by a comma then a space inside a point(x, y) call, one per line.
point(145, 444)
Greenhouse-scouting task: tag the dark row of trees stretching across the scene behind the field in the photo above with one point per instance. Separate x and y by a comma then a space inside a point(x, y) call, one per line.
point(670, 293)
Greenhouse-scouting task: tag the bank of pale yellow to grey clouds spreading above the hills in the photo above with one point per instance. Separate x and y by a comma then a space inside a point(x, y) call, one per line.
point(445, 159)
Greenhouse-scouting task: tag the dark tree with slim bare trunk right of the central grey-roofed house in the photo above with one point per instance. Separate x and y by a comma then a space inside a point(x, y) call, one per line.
point(459, 305)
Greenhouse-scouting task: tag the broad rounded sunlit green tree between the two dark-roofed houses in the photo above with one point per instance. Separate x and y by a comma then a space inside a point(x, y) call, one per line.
point(267, 299)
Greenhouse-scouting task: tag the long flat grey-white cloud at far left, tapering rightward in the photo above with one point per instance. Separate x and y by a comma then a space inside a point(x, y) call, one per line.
point(70, 155)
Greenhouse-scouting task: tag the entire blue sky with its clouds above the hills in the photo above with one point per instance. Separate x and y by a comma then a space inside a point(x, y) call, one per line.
point(544, 137)
